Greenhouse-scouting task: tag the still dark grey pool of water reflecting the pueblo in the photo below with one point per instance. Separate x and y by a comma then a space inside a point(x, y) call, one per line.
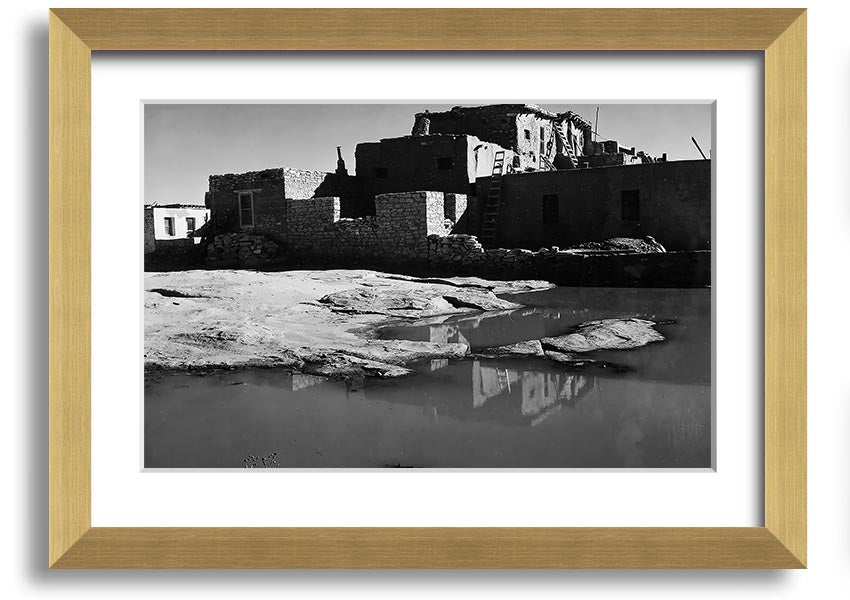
point(517, 412)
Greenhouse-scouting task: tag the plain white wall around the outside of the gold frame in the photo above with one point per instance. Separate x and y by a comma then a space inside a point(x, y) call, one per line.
point(24, 357)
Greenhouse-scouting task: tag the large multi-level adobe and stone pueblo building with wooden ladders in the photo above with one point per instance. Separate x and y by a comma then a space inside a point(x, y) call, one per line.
point(507, 190)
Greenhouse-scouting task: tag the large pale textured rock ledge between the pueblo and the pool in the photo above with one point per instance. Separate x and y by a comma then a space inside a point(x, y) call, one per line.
point(316, 322)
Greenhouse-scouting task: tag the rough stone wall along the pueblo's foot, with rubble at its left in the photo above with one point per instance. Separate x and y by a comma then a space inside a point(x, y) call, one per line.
point(411, 231)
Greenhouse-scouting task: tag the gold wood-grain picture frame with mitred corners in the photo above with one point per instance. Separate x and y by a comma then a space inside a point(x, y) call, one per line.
point(779, 33)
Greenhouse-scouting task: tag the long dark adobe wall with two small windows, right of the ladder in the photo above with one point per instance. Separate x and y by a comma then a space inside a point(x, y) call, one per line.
point(674, 205)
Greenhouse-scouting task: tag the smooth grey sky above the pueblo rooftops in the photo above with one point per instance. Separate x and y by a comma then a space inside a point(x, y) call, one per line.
point(186, 143)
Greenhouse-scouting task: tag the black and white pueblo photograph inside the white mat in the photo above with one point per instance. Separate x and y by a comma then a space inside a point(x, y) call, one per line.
point(520, 284)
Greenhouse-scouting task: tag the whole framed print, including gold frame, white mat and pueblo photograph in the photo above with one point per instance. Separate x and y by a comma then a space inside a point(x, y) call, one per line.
point(402, 315)
